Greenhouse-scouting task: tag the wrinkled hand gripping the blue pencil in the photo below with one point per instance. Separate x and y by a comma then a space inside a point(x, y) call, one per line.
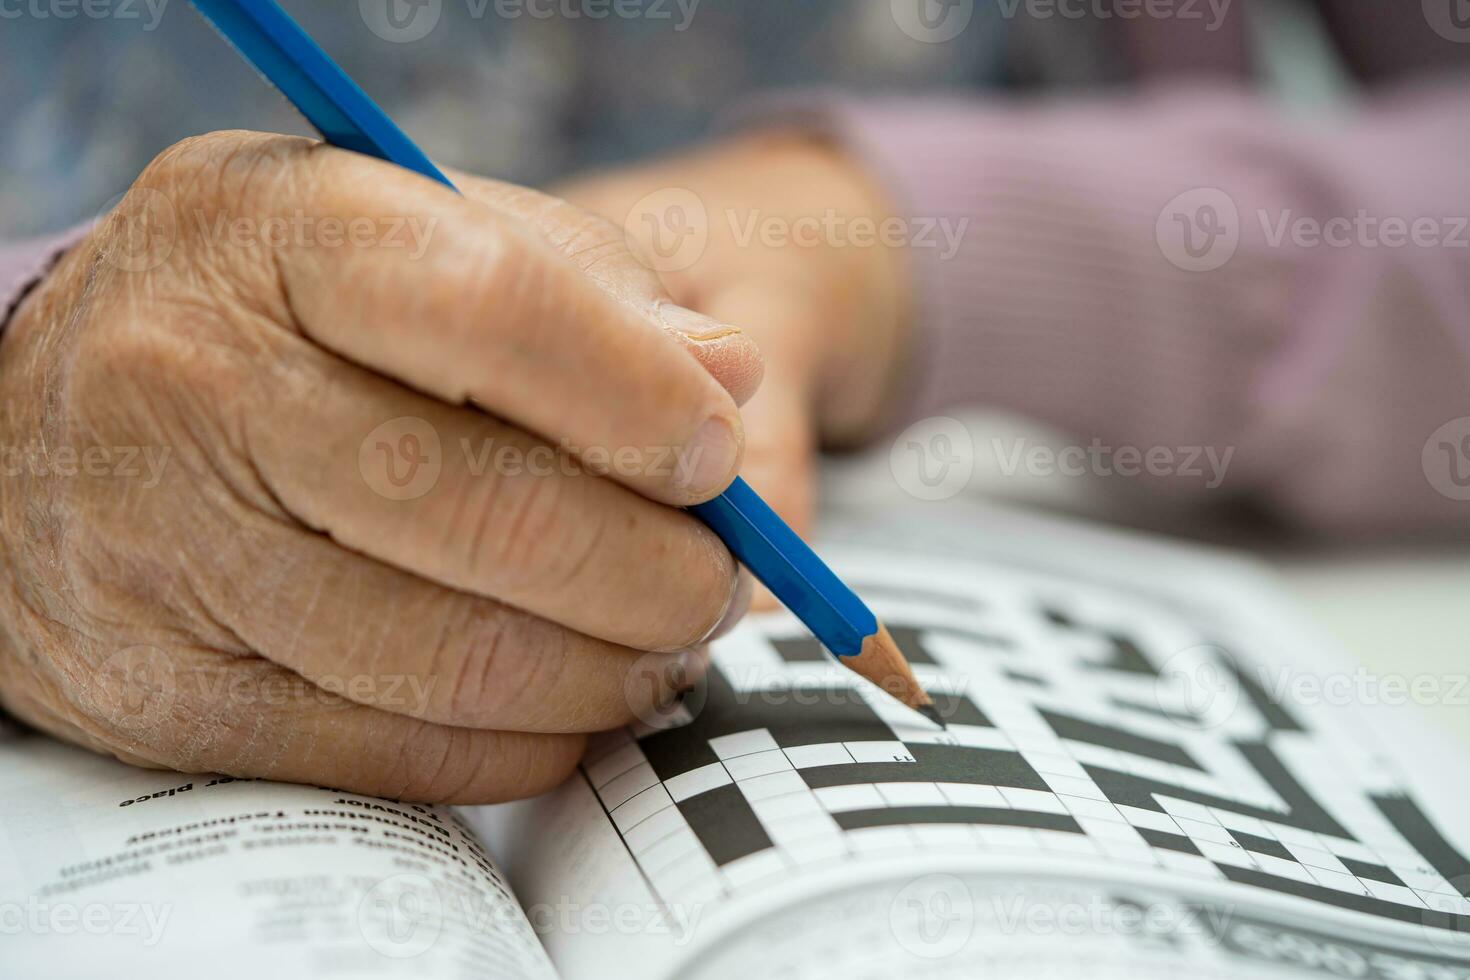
point(331, 475)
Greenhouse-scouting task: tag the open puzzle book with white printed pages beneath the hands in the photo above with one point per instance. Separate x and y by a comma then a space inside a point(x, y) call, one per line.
point(1152, 768)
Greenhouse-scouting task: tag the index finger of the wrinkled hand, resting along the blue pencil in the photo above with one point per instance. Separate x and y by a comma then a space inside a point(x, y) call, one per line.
point(473, 306)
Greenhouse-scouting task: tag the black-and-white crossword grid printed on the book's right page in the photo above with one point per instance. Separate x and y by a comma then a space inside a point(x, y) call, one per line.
point(1059, 743)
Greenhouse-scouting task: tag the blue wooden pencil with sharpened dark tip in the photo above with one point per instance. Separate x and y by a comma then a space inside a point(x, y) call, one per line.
point(775, 555)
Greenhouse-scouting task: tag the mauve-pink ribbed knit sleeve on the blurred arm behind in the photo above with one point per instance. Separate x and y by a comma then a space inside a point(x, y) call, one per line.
point(1056, 280)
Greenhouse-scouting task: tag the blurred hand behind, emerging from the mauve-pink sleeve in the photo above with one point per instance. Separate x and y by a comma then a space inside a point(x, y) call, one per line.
point(790, 239)
